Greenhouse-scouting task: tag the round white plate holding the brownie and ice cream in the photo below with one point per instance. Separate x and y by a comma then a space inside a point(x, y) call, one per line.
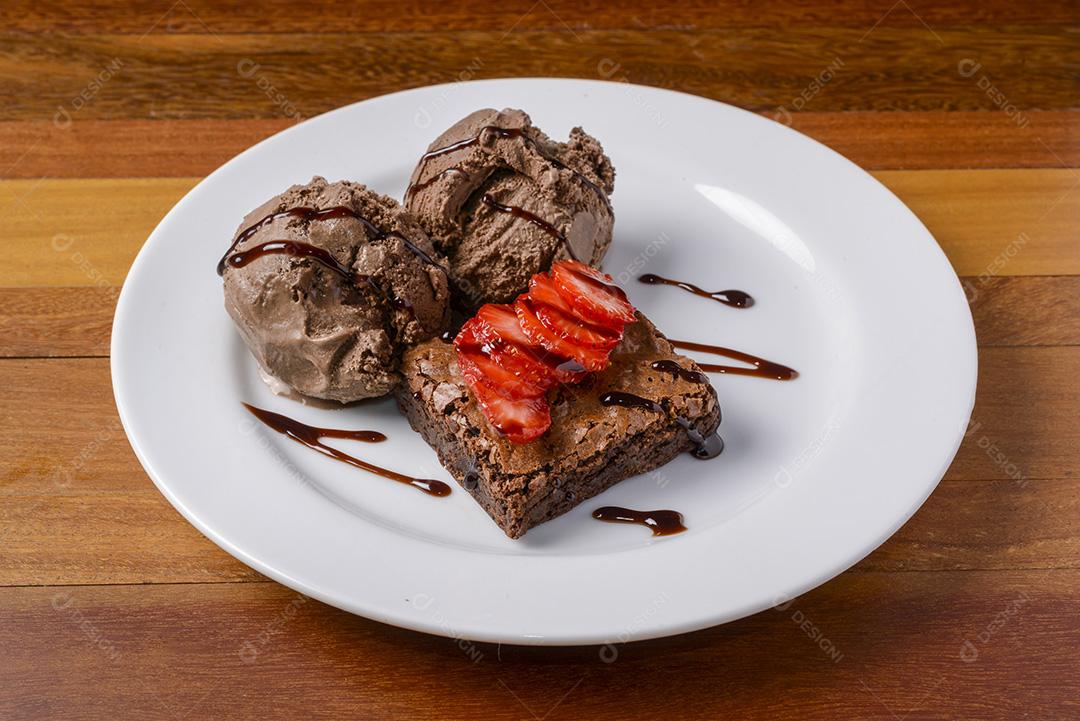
point(852, 290)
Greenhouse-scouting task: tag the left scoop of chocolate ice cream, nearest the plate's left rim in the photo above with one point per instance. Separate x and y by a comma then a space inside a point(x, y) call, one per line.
point(329, 283)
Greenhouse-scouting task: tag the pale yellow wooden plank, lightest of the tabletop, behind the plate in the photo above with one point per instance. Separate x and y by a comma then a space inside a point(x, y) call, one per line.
point(87, 233)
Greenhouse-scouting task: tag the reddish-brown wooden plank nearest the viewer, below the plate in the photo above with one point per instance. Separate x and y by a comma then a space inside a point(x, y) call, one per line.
point(876, 646)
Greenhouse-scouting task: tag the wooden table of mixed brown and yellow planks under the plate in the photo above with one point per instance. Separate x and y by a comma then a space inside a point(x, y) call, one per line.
point(112, 606)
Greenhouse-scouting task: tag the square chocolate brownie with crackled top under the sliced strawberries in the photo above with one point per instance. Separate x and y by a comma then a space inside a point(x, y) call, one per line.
point(590, 446)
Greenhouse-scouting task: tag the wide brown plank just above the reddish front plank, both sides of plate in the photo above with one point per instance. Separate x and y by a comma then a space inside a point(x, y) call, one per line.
point(80, 510)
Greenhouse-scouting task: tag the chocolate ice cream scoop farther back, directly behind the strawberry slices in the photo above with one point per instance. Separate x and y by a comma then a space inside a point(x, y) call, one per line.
point(503, 201)
